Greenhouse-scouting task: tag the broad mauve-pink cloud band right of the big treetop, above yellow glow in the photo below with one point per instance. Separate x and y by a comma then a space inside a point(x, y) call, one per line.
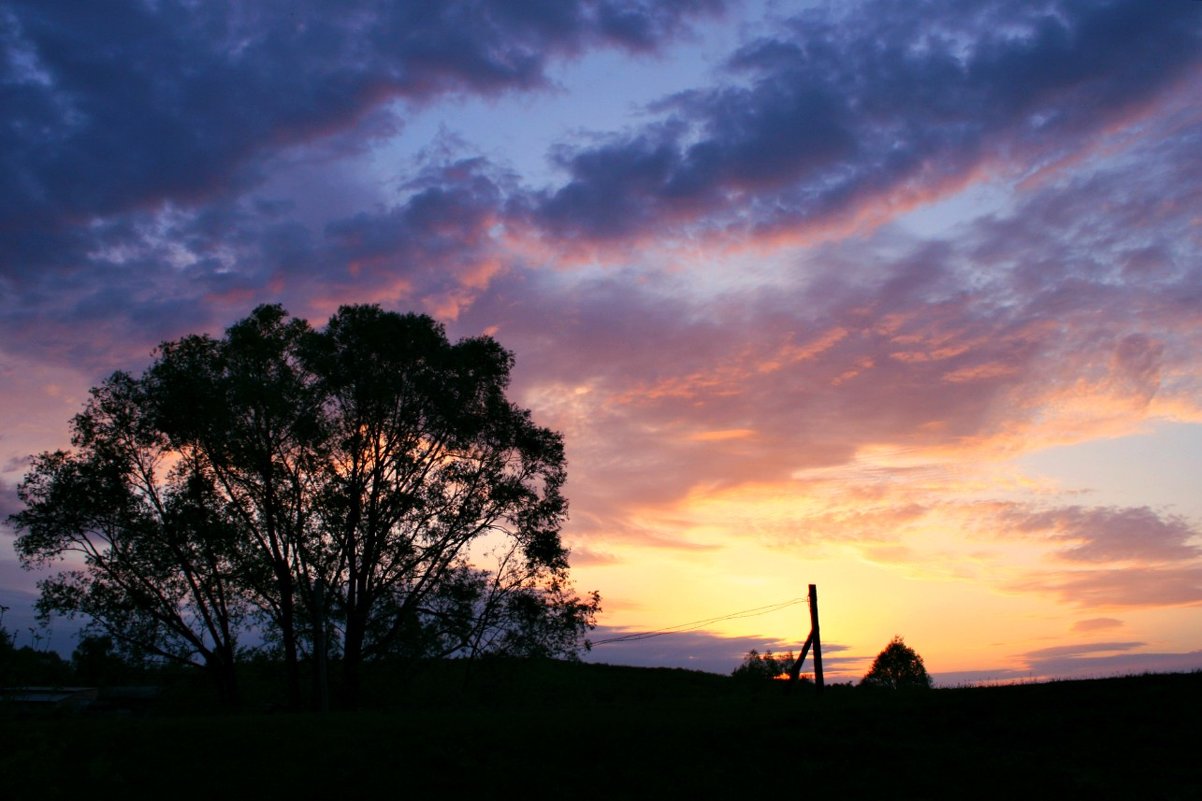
point(889, 343)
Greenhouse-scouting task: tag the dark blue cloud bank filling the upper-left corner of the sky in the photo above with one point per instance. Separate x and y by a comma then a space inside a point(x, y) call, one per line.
point(134, 105)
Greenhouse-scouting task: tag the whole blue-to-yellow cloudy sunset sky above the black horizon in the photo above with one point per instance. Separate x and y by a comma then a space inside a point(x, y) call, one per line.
point(903, 300)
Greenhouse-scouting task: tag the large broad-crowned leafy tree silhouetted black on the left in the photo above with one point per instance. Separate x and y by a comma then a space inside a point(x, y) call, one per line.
point(348, 494)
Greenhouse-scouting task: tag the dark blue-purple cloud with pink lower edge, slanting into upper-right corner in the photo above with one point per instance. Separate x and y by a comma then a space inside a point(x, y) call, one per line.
point(870, 114)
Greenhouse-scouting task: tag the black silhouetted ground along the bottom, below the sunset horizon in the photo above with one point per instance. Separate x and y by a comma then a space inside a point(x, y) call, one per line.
point(594, 732)
